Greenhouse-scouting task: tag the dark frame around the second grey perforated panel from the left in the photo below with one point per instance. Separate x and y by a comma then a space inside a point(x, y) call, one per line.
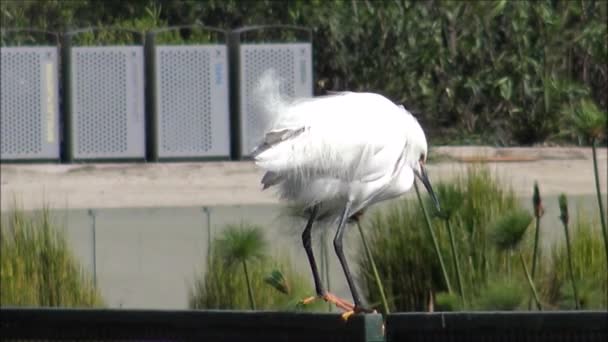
point(135, 99)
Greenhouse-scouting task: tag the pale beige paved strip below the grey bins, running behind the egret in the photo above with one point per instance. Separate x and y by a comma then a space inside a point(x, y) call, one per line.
point(558, 170)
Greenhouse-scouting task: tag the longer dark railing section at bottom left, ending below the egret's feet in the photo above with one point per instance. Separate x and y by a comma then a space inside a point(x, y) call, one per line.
point(186, 325)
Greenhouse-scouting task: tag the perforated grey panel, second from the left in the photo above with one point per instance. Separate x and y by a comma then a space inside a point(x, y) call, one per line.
point(107, 102)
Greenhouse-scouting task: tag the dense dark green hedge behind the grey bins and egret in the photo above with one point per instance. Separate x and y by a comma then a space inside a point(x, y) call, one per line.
point(475, 71)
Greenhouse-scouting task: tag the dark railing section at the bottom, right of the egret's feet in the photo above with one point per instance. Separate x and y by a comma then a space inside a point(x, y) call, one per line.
point(498, 326)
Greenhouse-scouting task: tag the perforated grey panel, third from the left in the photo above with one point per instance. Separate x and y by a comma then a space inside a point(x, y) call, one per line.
point(192, 101)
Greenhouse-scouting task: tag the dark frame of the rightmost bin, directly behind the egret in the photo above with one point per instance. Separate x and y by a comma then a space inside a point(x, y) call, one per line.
point(239, 128)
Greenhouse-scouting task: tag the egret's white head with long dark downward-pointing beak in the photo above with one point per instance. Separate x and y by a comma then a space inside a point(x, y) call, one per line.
point(417, 152)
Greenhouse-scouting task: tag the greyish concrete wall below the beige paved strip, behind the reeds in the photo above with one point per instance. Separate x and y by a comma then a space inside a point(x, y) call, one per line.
point(147, 257)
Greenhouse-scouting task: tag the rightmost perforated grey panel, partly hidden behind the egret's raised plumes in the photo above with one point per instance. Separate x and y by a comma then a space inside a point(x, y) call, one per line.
point(293, 64)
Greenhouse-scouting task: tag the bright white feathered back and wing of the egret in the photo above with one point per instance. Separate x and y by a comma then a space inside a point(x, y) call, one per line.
point(347, 136)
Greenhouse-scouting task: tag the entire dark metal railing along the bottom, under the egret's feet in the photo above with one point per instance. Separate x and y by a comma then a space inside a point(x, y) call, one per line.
point(215, 325)
